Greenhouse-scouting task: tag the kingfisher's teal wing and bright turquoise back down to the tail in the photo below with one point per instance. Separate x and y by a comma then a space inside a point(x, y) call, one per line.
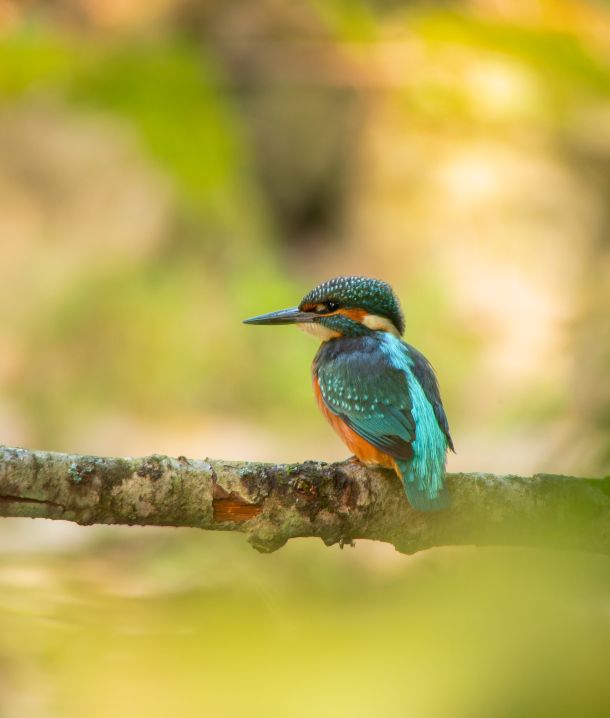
point(371, 385)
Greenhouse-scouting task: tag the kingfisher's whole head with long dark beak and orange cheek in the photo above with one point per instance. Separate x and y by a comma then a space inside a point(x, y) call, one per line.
point(343, 306)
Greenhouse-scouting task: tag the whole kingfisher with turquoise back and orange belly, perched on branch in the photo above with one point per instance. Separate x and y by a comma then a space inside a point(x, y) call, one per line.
point(379, 393)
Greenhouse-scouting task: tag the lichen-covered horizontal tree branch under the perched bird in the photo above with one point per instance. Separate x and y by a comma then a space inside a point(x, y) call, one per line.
point(273, 503)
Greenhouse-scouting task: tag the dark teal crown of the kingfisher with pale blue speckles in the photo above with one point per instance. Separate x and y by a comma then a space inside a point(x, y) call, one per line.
point(373, 295)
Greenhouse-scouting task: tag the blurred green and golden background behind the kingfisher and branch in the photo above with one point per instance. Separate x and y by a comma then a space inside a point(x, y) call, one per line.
point(170, 167)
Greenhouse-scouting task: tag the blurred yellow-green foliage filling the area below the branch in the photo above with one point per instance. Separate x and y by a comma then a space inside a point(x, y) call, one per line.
point(189, 625)
